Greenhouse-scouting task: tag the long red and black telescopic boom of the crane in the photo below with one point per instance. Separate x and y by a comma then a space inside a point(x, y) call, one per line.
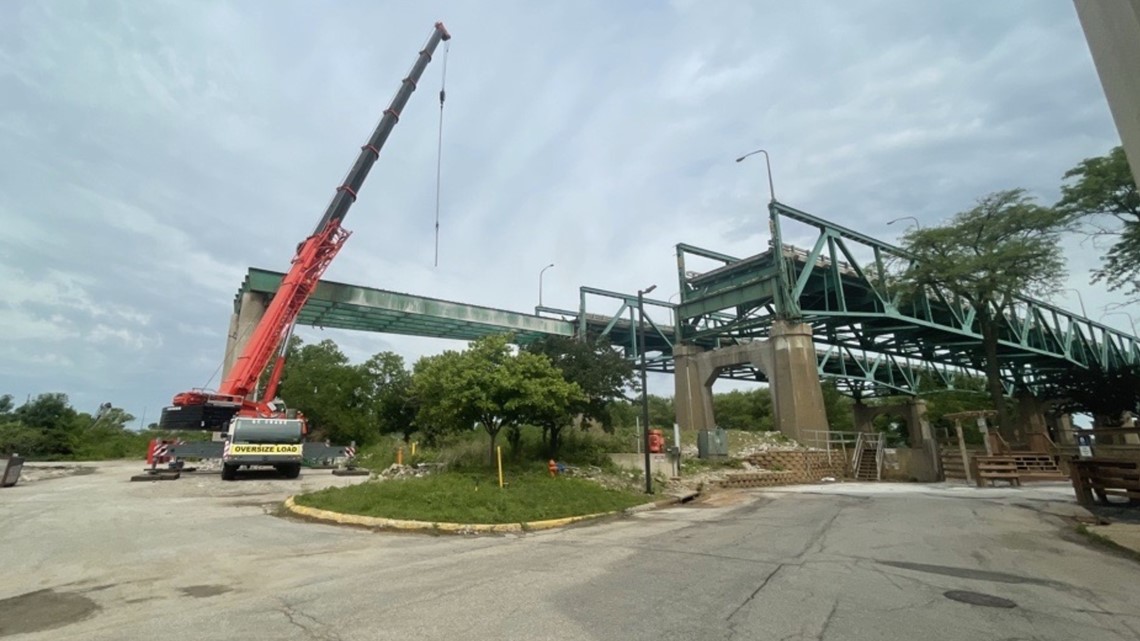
point(312, 259)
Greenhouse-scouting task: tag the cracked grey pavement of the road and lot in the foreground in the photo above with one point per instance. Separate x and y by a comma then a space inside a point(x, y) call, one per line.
point(849, 562)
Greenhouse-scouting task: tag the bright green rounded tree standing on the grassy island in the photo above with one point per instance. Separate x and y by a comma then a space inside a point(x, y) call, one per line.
point(490, 386)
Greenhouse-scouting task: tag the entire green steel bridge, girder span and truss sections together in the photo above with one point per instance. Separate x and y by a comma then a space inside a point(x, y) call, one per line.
point(872, 340)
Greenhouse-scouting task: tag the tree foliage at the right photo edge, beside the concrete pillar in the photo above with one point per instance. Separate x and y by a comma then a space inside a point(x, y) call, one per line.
point(1103, 197)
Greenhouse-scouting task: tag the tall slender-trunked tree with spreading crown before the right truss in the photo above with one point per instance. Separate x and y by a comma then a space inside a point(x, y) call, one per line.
point(1005, 247)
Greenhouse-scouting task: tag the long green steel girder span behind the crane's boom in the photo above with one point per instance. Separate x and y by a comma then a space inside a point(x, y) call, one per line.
point(352, 307)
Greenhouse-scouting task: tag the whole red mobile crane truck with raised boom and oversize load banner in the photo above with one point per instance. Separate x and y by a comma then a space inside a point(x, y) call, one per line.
point(238, 395)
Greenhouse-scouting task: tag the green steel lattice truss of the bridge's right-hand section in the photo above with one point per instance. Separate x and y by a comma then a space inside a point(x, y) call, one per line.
point(873, 337)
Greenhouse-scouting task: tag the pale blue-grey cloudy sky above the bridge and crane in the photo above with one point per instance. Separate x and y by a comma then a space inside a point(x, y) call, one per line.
point(153, 151)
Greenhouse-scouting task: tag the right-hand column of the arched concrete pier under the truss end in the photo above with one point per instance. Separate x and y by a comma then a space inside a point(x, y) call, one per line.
point(797, 399)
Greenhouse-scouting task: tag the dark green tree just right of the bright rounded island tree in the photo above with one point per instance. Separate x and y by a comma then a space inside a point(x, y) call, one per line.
point(602, 374)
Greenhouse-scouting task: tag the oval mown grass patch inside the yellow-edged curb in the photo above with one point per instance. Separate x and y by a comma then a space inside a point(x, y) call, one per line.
point(474, 498)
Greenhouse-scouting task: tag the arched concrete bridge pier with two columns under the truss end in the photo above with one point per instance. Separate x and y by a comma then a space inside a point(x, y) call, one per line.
point(788, 360)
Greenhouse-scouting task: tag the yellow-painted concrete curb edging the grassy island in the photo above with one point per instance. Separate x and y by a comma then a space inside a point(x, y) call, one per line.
point(381, 523)
